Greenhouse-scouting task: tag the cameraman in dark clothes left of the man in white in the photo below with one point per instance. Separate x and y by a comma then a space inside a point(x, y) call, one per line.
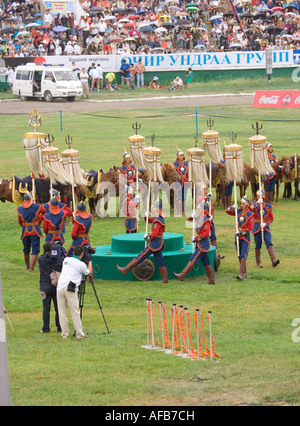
point(47, 264)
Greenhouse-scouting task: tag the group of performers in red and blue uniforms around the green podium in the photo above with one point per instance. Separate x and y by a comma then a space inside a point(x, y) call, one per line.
point(250, 220)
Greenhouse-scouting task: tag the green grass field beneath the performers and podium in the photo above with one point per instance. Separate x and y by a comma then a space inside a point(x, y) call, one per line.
point(252, 320)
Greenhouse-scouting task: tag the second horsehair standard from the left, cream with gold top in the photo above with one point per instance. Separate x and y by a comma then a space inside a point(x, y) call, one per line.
point(53, 165)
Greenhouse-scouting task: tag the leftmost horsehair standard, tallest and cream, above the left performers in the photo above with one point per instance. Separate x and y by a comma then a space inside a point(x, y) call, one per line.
point(33, 142)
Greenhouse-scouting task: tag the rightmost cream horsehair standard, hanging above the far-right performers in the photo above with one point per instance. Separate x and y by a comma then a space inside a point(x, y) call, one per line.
point(258, 154)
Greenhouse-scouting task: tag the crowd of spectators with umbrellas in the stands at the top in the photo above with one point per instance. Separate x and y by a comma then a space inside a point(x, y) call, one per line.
point(160, 26)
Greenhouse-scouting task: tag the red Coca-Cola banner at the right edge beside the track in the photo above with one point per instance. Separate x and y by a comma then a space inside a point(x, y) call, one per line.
point(277, 99)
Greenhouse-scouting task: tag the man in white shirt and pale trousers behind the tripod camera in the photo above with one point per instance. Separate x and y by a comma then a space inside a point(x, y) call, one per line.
point(71, 273)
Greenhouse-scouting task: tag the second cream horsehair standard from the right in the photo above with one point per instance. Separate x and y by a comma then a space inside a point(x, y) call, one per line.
point(234, 162)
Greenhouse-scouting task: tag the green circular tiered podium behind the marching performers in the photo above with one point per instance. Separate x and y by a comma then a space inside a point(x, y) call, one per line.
point(125, 247)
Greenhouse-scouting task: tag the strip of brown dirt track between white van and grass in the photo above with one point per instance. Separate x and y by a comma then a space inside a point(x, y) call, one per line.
point(18, 107)
